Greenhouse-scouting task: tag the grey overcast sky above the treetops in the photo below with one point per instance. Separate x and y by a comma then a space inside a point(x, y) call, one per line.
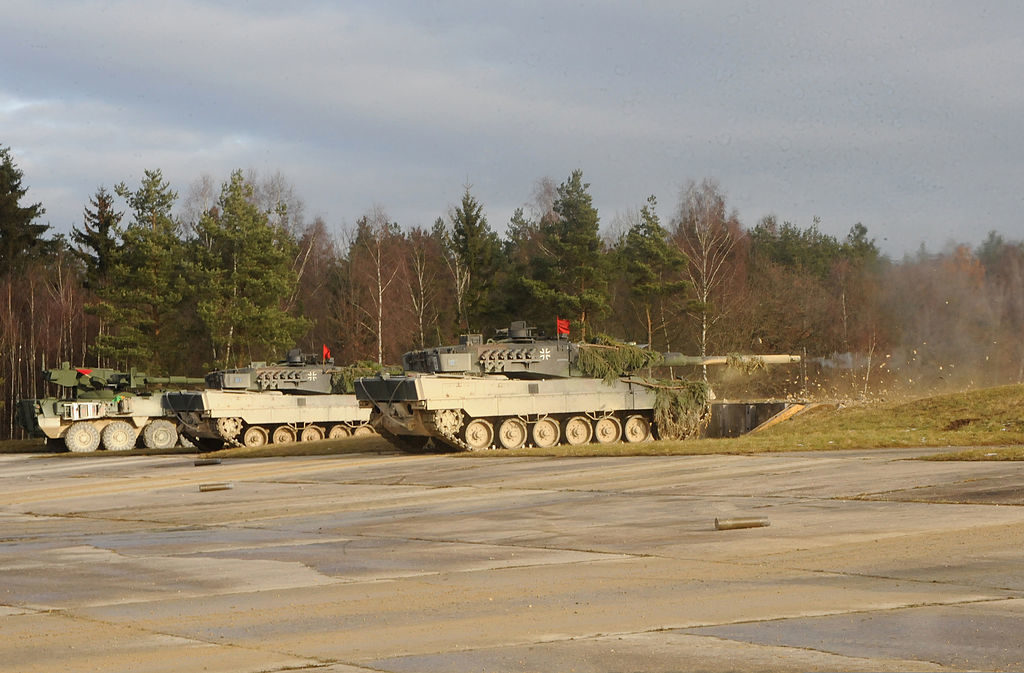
point(908, 117)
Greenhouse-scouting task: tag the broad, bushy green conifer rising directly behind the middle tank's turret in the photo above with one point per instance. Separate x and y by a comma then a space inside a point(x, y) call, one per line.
point(243, 276)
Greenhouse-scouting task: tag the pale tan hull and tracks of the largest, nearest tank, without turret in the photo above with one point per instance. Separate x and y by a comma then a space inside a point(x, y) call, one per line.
point(484, 412)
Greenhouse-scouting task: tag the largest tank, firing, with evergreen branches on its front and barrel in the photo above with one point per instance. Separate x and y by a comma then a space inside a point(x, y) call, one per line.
point(520, 390)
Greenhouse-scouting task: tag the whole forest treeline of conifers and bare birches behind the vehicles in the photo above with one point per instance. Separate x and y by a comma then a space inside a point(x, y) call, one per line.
point(233, 274)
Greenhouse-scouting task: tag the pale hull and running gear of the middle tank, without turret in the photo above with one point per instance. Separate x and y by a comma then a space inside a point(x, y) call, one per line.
point(219, 418)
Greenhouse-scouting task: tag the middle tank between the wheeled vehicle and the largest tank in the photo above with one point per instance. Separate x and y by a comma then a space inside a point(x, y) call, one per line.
point(296, 400)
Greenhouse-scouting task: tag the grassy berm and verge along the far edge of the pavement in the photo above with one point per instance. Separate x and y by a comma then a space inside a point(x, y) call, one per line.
point(986, 425)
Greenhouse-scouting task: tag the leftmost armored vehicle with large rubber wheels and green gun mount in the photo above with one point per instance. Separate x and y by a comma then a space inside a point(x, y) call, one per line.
point(104, 407)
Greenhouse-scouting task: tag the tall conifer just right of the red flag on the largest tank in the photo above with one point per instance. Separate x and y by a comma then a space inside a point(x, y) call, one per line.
point(570, 279)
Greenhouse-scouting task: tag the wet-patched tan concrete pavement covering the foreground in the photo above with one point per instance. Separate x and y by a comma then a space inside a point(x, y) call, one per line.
point(369, 563)
